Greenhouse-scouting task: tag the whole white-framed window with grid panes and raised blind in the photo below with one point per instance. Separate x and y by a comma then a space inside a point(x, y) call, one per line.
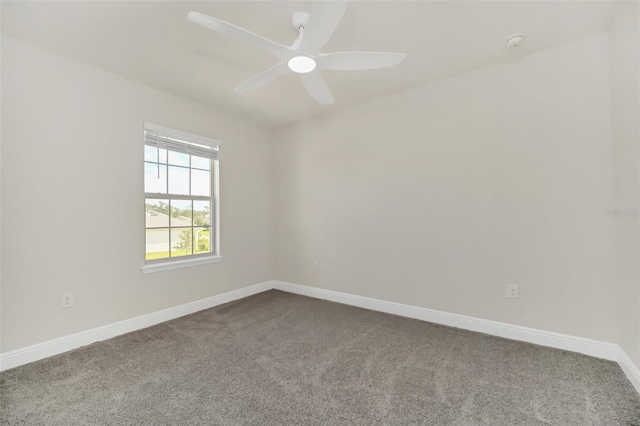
point(181, 199)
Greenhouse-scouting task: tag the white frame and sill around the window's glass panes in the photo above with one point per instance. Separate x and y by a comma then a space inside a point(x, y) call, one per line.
point(158, 265)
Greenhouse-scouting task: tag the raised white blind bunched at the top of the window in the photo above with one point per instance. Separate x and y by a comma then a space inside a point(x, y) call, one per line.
point(186, 143)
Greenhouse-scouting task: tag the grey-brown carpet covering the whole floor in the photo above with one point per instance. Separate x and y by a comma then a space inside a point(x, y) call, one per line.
point(282, 359)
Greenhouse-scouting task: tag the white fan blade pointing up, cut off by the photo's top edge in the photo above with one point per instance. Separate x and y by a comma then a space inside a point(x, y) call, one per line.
point(323, 20)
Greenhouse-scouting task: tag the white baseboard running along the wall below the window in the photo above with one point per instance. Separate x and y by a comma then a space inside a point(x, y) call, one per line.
point(63, 344)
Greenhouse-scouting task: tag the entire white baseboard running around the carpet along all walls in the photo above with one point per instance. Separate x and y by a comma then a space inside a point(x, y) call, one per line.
point(595, 348)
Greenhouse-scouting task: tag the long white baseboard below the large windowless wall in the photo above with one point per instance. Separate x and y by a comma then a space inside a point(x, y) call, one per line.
point(590, 347)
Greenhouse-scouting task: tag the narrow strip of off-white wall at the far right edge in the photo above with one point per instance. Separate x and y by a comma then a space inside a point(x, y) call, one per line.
point(625, 73)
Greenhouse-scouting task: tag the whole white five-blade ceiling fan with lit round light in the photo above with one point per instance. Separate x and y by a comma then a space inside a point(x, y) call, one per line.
point(303, 56)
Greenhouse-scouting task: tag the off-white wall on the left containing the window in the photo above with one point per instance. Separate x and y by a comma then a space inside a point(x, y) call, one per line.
point(73, 204)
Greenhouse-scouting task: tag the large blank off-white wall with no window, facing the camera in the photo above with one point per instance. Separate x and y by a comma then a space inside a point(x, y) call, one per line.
point(441, 196)
